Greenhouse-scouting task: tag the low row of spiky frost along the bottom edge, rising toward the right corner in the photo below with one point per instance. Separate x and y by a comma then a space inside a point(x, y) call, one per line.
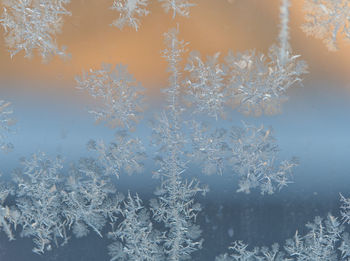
point(325, 240)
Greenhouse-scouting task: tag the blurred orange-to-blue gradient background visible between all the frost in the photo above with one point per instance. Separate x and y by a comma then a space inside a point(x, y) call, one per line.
point(314, 124)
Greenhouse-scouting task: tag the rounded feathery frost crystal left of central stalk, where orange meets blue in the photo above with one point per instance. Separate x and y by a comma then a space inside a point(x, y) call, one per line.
point(118, 91)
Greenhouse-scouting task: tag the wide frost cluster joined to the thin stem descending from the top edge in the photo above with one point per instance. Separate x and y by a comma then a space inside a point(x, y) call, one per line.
point(254, 82)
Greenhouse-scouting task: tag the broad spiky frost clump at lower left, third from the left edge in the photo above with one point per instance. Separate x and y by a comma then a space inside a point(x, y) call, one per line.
point(90, 200)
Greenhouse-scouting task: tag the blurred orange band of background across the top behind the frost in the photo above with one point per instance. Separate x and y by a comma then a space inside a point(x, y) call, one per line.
point(214, 26)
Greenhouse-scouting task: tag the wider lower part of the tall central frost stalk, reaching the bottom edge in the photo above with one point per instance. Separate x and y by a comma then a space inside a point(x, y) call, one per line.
point(175, 206)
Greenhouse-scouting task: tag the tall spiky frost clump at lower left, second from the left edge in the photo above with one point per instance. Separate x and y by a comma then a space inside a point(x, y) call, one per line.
point(38, 200)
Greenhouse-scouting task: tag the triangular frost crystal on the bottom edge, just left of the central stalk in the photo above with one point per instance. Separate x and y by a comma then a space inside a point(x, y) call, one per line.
point(137, 240)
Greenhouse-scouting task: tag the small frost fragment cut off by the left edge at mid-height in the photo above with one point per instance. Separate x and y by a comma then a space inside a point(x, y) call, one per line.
point(6, 122)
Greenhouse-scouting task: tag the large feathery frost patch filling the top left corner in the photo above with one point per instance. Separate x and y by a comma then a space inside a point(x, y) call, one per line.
point(33, 24)
